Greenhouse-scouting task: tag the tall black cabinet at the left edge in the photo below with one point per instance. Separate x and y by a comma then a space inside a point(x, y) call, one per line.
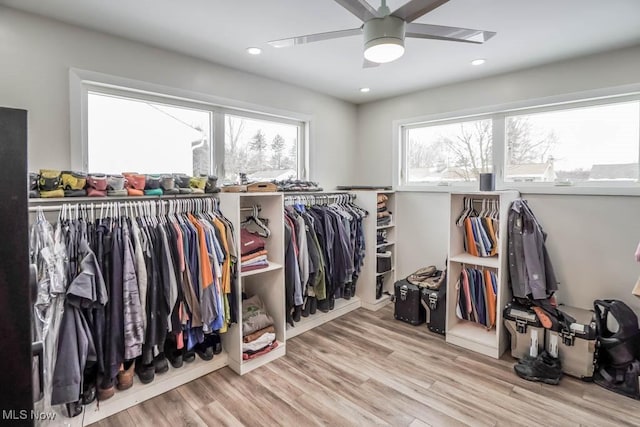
point(16, 396)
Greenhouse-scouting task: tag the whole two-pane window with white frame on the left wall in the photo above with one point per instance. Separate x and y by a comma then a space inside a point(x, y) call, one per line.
point(119, 125)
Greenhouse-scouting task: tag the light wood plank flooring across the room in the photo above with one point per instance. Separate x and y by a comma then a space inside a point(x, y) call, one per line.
point(366, 368)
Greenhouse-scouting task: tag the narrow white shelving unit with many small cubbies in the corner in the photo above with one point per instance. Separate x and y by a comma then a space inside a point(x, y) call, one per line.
point(366, 287)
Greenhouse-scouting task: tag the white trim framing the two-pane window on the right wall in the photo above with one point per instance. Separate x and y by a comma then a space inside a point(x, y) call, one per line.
point(498, 113)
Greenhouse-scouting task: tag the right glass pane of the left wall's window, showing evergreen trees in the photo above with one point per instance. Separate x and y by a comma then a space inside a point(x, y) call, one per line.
point(264, 150)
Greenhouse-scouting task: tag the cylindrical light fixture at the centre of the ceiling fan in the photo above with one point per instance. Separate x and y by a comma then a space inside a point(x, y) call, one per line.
point(384, 39)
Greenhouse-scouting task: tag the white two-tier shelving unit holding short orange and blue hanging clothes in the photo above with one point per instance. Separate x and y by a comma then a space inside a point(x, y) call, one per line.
point(472, 336)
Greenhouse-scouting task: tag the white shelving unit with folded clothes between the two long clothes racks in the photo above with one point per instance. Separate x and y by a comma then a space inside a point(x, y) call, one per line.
point(268, 282)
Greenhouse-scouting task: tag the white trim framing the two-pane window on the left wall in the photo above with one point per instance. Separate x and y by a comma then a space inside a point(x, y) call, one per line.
point(81, 82)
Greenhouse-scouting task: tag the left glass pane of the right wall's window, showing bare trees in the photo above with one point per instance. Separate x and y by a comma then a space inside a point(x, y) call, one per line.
point(449, 153)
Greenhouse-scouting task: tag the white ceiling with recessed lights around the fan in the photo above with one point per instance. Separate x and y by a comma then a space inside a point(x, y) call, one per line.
point(529, 33)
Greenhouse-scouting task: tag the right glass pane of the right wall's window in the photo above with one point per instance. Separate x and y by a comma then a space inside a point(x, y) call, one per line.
point(574, 145)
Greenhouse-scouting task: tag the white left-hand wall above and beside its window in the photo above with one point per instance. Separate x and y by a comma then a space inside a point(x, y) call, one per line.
point(37, 53)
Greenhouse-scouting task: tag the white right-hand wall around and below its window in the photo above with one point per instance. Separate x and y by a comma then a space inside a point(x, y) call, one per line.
point(592, 239)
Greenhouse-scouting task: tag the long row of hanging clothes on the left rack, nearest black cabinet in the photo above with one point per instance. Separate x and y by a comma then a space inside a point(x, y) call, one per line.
point(138, 279)
